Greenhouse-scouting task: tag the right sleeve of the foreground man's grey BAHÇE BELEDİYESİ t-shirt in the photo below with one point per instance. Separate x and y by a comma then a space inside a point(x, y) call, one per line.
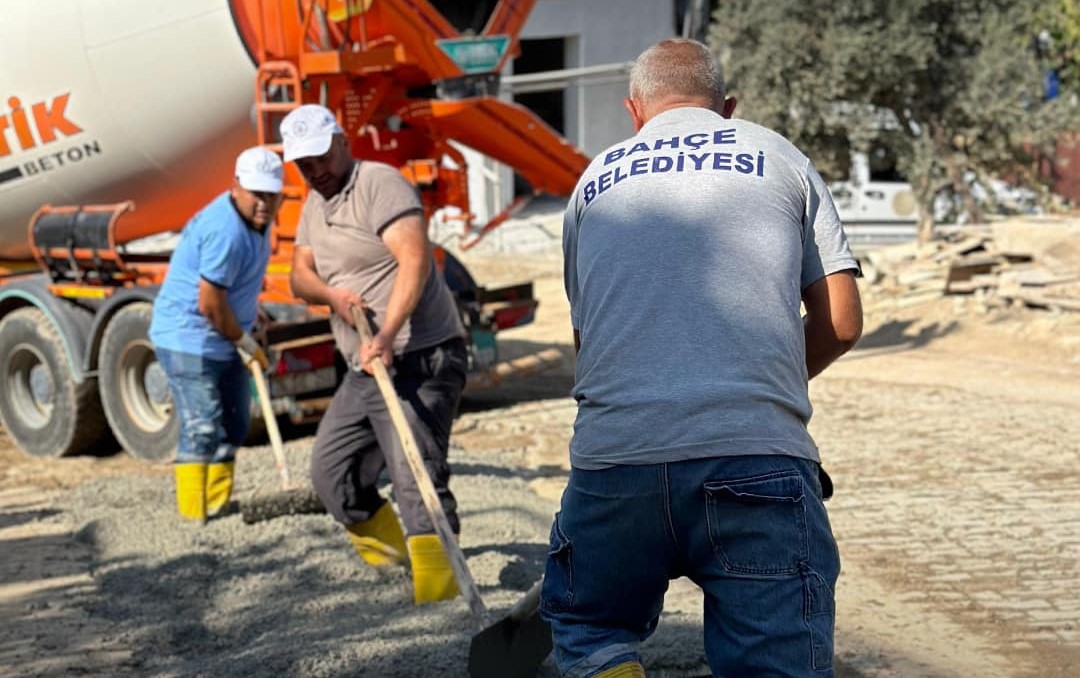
point(826, 249)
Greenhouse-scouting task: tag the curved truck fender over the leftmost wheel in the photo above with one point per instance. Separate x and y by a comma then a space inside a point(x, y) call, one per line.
point(73, 321)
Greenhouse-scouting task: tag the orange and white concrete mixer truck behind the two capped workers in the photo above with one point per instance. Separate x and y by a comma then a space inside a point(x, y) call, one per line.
point(119, 119)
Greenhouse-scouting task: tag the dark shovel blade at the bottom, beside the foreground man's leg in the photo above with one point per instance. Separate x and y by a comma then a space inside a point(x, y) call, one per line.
point(510, 649)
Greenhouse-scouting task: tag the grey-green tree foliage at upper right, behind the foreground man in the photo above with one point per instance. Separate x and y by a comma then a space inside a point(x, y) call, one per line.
point(954, 89)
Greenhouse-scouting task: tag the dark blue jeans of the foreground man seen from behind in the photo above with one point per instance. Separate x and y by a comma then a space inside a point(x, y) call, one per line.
point(752, 532)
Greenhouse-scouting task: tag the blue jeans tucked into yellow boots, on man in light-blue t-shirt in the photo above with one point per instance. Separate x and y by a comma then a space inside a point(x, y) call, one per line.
point(213, 401)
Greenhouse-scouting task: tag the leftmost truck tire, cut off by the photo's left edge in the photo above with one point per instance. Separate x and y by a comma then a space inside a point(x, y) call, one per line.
point(43, 409)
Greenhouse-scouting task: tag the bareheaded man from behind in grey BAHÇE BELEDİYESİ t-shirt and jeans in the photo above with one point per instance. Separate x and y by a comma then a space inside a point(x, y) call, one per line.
point(690, 249)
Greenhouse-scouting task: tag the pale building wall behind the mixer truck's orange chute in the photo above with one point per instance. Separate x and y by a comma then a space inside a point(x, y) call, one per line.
point(597, 33)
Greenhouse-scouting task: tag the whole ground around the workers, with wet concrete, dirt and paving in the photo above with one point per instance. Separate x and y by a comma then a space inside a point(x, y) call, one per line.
point(952, 437)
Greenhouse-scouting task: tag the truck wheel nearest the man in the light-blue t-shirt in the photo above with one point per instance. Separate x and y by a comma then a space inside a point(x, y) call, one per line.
point(134, 390)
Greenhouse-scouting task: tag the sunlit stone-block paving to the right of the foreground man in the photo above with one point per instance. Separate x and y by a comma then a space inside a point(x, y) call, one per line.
point(977, 514)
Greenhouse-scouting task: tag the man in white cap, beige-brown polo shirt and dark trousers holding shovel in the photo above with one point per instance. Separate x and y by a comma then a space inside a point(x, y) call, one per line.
point(363, 243)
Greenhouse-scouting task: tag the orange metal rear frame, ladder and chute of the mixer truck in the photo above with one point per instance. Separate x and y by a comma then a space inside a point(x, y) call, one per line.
point(368, 60)
